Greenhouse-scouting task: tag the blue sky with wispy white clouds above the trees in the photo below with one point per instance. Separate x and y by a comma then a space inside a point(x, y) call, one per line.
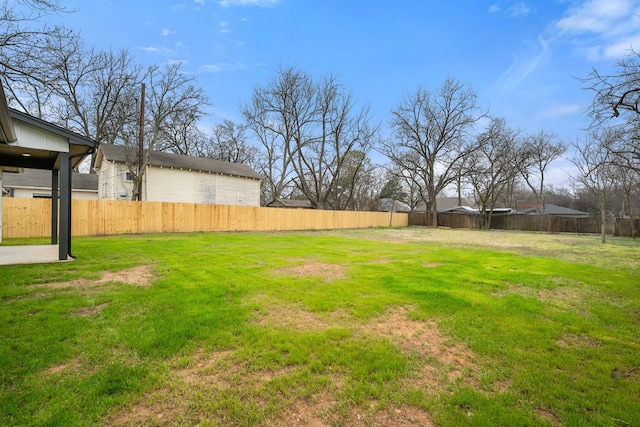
point(521, 57)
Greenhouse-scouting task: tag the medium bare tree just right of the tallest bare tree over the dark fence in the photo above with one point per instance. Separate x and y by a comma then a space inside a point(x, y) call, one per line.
point(493, 166)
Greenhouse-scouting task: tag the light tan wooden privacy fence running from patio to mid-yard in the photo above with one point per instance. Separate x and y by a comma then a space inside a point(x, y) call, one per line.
point(32, 218)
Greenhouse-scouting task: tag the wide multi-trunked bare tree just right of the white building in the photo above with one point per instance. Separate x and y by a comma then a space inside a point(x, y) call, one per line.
point(308, 131)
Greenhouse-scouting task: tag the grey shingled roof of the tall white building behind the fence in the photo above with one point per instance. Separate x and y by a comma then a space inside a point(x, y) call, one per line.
point(118, 153)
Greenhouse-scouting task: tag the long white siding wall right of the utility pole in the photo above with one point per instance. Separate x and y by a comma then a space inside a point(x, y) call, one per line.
point(178, 185)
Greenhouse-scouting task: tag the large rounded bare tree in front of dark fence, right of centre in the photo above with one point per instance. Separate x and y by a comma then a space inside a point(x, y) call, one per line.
point(431, 136)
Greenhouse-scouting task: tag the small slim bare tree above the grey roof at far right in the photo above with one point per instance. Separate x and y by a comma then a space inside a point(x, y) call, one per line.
point(542, 149)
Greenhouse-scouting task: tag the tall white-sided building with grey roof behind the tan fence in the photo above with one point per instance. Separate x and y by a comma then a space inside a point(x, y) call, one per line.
point(177, 178)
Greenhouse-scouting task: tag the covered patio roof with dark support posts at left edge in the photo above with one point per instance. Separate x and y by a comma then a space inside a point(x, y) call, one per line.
point(29, 142)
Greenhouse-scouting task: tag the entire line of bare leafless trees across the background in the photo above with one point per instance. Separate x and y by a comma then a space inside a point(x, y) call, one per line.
point(309, 137)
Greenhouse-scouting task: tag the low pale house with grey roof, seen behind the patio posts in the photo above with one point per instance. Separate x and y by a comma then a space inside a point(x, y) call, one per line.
point(36, 183)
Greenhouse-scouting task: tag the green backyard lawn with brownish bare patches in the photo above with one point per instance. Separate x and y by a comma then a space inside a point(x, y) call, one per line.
point(357, 327)
